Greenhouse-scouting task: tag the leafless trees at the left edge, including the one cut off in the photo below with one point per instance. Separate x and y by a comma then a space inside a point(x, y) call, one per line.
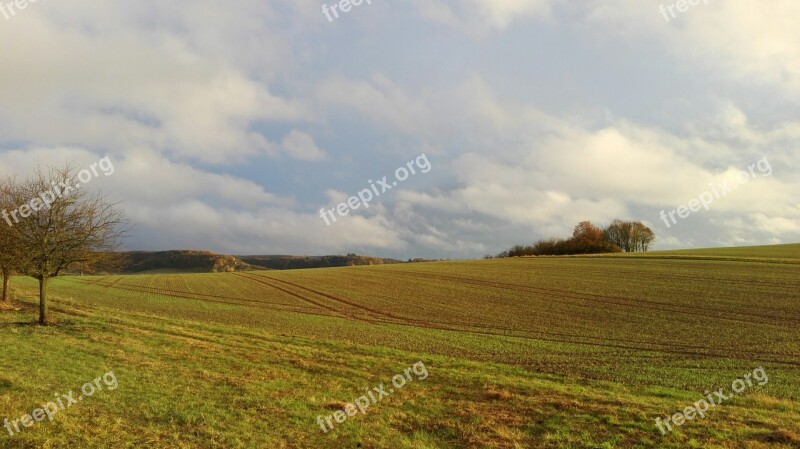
point(49, 225)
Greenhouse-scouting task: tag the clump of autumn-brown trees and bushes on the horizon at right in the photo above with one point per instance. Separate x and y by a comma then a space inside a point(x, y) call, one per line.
point(628, 236)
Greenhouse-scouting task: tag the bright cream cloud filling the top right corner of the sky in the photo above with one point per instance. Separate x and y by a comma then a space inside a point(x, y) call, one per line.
point(756, 44)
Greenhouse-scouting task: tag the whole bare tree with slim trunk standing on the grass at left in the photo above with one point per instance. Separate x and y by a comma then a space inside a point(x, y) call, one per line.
point(61, 225)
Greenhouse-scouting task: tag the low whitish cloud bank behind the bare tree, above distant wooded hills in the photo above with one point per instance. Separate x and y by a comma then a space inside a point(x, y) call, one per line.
point(174, 205)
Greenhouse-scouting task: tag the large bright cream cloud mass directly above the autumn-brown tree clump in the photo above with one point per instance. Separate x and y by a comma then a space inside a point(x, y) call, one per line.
point(553, 172)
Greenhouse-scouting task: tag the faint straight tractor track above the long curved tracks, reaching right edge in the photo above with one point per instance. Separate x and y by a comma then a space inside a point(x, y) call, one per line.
point(605, 299)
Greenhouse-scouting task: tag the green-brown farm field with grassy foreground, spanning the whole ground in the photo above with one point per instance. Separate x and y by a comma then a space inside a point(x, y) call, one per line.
point(520, 353)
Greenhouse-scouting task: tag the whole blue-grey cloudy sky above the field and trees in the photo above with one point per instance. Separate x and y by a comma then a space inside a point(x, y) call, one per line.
point(231, 125)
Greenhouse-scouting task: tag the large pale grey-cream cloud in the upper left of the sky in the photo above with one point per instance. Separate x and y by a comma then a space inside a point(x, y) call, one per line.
point(132, 87)
